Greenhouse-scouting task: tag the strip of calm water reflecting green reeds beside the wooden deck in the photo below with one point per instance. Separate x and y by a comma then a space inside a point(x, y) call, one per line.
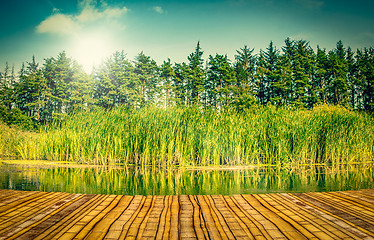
point(147, 181)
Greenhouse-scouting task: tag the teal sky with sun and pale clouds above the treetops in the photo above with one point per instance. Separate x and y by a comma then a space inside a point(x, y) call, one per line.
point(91, 30)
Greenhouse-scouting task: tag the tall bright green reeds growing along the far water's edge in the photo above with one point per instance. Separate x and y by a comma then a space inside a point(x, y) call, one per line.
point(191, 136)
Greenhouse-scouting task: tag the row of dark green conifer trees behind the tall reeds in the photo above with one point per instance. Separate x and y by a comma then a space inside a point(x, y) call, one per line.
point(293, 76)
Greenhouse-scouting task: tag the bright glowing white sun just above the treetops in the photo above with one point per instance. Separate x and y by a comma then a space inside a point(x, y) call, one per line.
point(91, 49)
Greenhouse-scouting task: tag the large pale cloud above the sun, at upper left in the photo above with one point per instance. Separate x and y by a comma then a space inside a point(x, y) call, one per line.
point(65, 24)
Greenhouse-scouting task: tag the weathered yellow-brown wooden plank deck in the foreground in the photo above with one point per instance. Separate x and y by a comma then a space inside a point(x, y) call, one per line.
point(43, 215)
